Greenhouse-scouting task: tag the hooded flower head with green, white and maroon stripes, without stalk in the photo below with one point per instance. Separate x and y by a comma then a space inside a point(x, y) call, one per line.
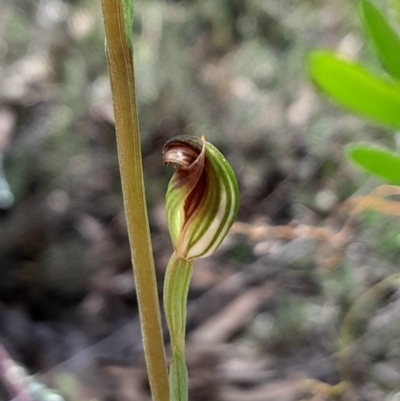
point(202, 197)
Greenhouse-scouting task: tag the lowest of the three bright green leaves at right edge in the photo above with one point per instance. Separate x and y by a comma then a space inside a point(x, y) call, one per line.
point(378, 162)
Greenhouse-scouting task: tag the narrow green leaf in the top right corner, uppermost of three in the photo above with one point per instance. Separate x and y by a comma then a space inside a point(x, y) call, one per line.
point(383, 38)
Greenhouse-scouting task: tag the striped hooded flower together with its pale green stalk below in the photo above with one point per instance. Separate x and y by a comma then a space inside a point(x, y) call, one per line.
point(202, 201)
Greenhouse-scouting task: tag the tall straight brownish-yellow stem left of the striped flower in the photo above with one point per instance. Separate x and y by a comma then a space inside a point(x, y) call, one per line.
point(121, 69)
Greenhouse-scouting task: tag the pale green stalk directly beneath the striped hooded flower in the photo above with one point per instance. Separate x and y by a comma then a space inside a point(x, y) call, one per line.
point(176, 288)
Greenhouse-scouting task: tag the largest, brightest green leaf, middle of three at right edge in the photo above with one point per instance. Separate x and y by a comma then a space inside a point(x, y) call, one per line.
point(354, 87)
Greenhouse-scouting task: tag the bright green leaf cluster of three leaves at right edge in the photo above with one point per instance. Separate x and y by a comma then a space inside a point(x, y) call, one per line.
point(373, 96)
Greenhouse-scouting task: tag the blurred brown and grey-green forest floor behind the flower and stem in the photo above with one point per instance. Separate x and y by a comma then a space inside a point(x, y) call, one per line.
point(269, 315)
